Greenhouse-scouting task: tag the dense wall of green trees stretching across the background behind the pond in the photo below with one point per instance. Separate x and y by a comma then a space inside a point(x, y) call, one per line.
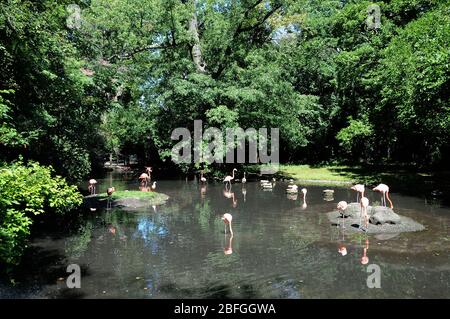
point(128, 76)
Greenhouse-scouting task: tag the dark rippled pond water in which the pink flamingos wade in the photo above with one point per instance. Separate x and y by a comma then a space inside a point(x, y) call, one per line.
point(281, 248)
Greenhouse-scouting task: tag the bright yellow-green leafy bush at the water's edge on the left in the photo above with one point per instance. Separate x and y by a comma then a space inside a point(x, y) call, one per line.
point(26, 191)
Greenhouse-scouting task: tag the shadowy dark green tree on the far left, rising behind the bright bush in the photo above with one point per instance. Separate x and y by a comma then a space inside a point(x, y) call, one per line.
point(54, 108)
